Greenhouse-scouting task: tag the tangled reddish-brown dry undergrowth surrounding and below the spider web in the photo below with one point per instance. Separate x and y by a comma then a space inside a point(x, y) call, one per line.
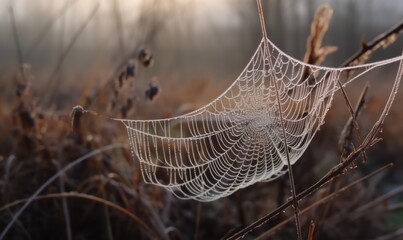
point(104, 197)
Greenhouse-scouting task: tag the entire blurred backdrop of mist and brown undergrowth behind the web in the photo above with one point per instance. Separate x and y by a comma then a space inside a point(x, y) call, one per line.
point(57, 54)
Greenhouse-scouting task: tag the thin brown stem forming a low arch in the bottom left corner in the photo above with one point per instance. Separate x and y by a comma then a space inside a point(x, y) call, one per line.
point(85, 196)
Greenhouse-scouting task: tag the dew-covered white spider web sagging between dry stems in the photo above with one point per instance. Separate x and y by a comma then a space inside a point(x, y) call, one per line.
point(237, 139)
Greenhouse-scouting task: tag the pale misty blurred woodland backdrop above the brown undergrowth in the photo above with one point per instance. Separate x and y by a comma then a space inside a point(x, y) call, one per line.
point(189, 38)
